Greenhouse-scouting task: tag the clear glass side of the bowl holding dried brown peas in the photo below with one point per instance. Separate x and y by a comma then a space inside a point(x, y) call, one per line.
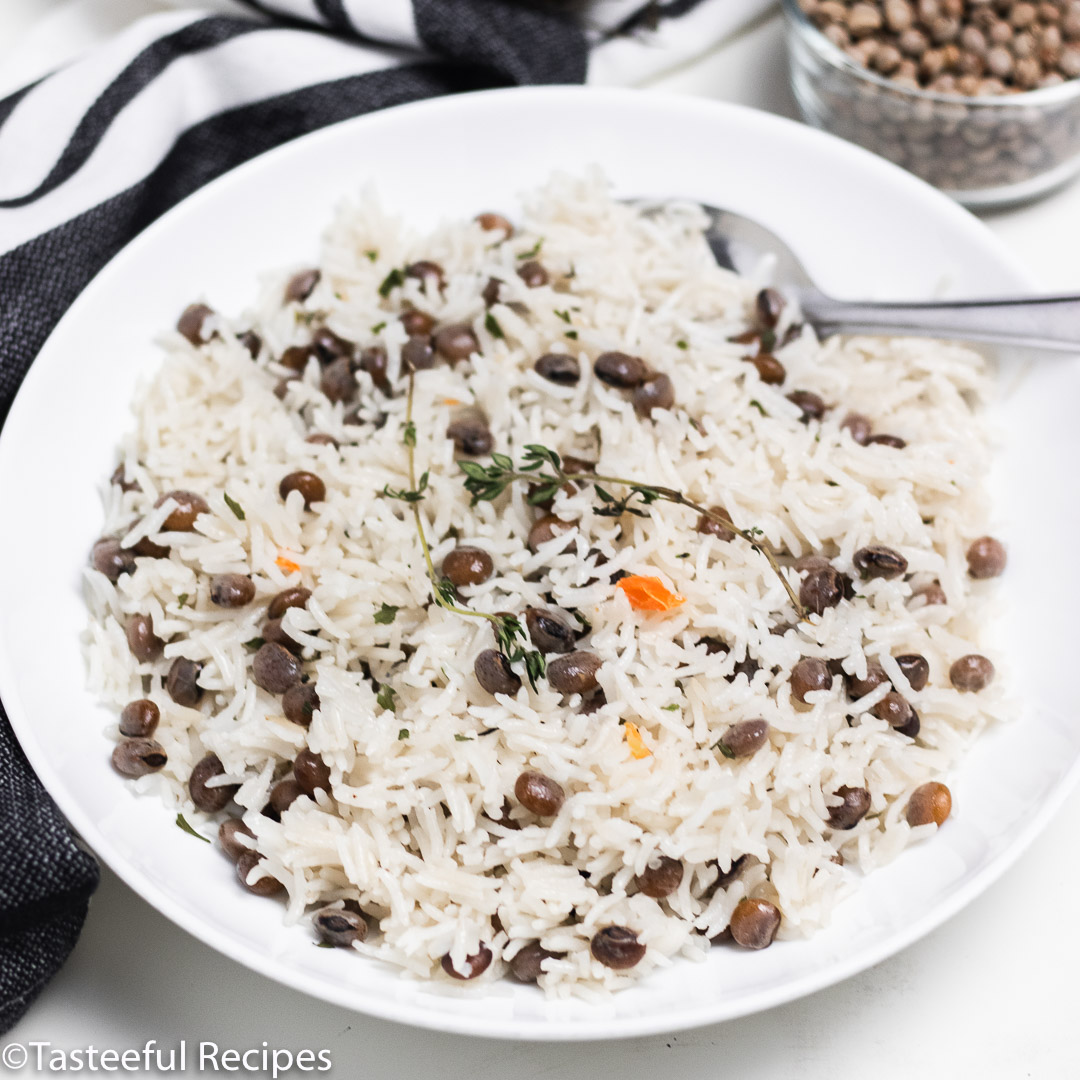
point(983, 152)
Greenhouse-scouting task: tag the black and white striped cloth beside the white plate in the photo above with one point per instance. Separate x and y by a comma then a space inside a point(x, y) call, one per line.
point(94, 153)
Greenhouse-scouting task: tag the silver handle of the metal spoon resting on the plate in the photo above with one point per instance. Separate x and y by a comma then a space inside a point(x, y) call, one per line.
point(1048, 322)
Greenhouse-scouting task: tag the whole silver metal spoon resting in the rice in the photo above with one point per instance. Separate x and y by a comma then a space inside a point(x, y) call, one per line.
point(1047, 322)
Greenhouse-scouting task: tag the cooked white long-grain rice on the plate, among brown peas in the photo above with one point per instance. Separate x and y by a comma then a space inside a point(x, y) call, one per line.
point(414, 830)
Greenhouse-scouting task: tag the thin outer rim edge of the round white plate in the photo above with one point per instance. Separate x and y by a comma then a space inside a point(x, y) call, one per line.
point(478, 1022)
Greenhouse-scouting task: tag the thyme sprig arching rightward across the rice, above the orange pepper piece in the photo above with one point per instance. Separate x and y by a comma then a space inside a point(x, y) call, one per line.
point(543, 467)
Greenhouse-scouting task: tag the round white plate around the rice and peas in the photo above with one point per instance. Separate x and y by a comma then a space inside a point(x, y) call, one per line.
point(862, 227)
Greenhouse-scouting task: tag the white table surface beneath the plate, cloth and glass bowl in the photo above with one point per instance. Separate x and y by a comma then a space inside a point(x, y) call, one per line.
point(990, 995)
